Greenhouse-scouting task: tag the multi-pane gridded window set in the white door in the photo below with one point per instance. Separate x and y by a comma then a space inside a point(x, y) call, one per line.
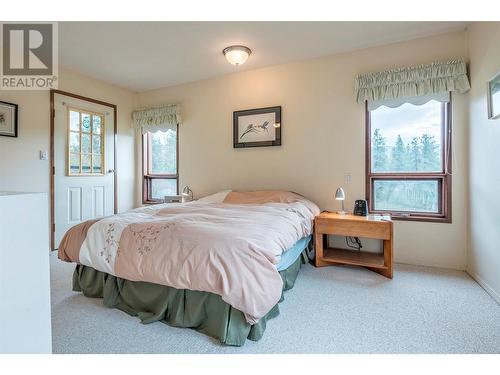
point(85, 143)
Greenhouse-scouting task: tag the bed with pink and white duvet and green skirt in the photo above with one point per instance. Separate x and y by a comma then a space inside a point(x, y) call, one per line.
point(219, 265)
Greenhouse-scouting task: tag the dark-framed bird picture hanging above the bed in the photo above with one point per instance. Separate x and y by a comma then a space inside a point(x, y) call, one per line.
point(257, 127)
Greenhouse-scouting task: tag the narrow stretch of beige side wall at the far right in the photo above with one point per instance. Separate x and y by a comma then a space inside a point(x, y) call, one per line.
point(484, 162)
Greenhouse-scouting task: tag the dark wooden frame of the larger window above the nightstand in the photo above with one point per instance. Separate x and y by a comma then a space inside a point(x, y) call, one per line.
point(443, 177)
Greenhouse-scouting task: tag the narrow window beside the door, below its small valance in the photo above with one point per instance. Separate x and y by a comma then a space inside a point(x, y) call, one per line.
point(160, 167)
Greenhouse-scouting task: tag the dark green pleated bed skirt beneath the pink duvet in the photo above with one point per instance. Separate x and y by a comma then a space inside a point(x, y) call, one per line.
point(203, 311)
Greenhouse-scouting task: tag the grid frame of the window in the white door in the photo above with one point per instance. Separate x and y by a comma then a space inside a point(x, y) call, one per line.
point(91, 133)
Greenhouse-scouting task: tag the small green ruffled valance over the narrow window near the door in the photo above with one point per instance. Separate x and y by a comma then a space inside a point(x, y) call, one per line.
point(159, 118)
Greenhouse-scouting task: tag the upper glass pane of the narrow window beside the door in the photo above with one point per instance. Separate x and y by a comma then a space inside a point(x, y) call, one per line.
point(164, 152)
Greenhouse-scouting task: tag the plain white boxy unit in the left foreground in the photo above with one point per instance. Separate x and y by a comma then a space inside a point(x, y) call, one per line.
point(25, 325)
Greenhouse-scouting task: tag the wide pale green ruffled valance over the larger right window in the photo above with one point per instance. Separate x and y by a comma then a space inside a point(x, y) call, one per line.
point(408, 82)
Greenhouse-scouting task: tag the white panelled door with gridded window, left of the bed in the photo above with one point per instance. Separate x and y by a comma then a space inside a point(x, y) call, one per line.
point(83, 162)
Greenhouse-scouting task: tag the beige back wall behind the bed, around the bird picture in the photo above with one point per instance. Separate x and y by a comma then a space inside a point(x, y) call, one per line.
point(323, 137)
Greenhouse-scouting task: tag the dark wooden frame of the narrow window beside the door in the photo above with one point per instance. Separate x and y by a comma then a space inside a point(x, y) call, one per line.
point(147, 177)
